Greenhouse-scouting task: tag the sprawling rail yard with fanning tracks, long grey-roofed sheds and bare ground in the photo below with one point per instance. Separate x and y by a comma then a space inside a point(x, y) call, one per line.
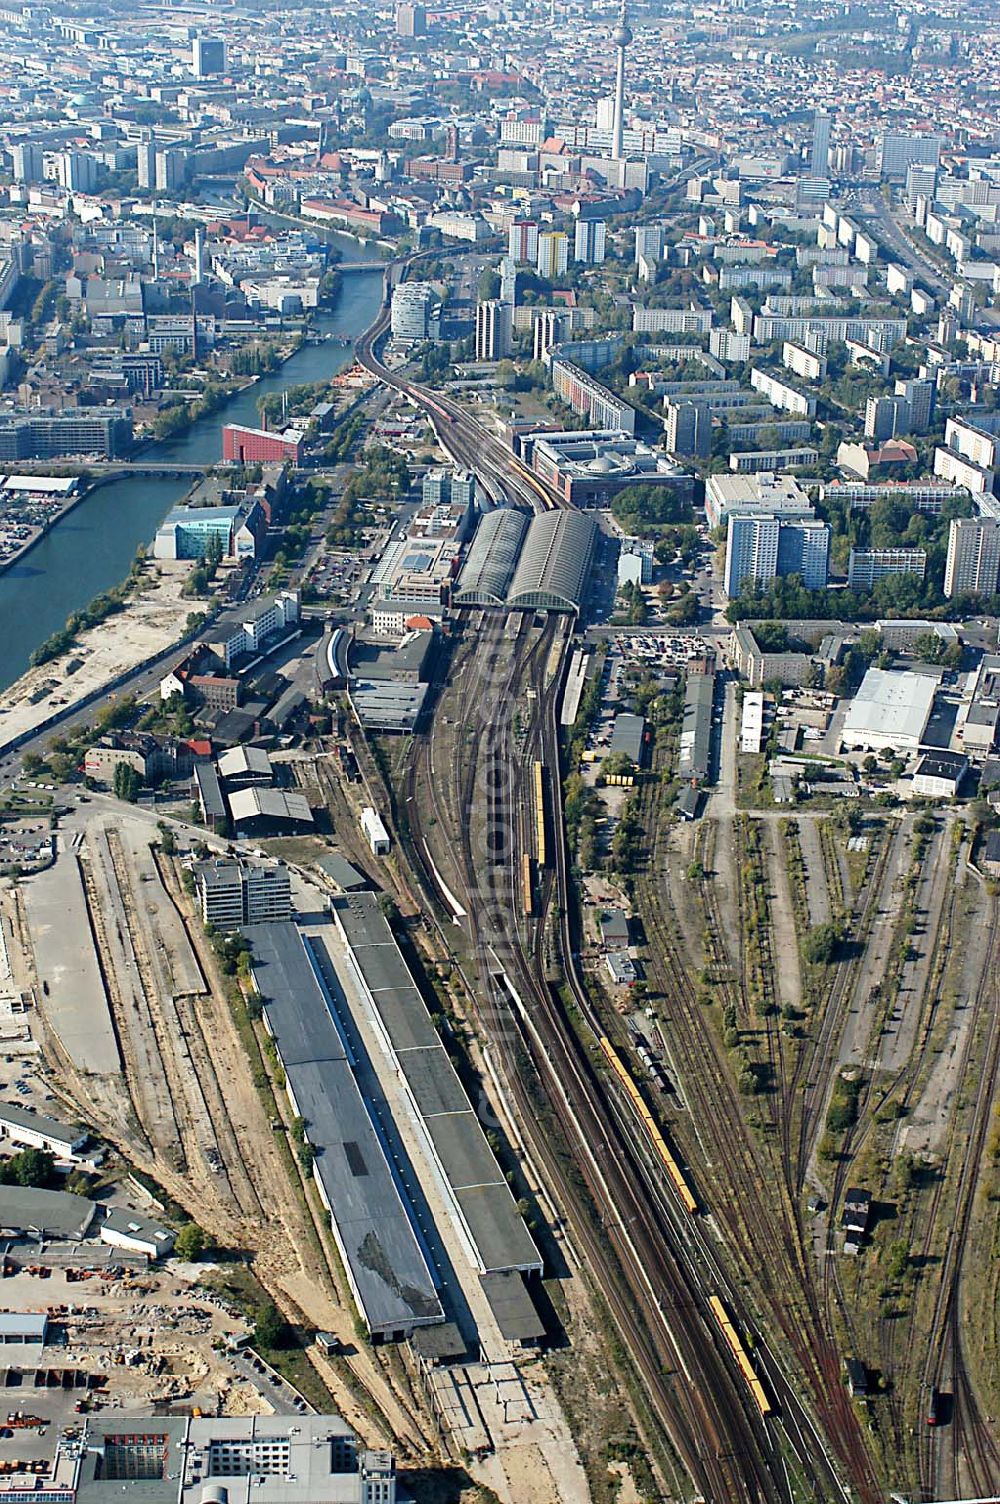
point(709, 1099)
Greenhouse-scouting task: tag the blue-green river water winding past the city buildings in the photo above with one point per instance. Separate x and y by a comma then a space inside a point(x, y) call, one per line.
point(94, 547)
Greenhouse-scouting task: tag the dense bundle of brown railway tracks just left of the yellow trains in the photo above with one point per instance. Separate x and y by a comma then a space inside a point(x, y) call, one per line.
point(535, 1029)
